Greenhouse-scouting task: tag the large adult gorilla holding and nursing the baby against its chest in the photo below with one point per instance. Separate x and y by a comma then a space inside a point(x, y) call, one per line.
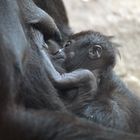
point(23, 73)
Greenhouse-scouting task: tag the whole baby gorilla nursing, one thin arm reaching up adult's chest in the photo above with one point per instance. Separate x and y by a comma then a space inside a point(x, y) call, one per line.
point(89, 58)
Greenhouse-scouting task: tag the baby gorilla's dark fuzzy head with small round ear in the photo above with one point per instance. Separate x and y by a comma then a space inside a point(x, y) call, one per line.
point(90, 50)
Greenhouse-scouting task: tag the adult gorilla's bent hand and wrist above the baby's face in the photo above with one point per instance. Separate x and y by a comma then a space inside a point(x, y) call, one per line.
point(40, 20)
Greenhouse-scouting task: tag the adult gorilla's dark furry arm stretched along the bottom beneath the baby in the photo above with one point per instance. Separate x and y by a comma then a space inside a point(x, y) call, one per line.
point(43, 125)
